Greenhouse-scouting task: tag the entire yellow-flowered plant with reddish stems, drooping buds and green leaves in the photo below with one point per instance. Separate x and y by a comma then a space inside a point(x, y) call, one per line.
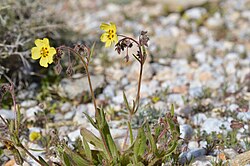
point(151, 146)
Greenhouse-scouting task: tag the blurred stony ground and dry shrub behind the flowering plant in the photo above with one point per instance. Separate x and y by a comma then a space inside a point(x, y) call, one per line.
point(198, 59)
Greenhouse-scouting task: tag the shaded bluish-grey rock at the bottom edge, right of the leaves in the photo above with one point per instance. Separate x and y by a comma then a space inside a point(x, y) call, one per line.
point(192, 154)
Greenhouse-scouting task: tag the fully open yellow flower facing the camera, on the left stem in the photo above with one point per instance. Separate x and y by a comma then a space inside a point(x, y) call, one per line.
point(43, 51)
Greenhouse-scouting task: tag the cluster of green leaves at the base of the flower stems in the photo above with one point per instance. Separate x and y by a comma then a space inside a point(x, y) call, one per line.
point(149, 147)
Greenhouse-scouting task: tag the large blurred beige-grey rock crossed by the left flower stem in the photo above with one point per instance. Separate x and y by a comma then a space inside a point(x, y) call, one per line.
point(74, 87)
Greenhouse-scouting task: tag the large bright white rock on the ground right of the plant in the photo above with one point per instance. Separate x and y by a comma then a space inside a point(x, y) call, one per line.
point(214, 125)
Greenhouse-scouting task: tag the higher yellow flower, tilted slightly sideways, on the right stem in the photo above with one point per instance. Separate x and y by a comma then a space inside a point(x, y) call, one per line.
point(109, 36)
